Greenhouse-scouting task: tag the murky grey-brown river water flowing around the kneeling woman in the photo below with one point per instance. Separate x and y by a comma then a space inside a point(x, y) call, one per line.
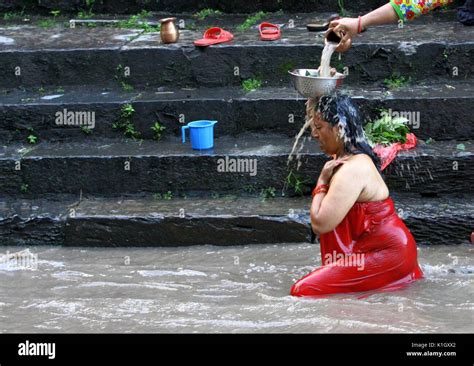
point(218, 289)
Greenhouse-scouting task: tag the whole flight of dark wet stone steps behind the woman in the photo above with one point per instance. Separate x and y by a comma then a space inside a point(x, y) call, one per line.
point(98, 187)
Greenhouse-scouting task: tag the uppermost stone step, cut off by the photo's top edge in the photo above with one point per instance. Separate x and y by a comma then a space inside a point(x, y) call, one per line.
point(234, 6)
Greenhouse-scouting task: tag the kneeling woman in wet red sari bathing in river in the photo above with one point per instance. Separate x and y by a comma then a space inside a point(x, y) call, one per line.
point(364, 244)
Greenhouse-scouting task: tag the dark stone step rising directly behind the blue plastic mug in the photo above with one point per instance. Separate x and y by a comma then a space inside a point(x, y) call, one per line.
point(437, 111)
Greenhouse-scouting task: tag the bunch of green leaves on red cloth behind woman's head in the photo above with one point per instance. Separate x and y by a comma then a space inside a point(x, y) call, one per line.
point(386, 130)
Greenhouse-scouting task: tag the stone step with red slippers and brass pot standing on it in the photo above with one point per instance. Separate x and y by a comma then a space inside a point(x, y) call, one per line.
point(32, 56)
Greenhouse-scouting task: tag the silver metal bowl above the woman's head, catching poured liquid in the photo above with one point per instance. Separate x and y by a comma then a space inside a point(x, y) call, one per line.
point(310, 85)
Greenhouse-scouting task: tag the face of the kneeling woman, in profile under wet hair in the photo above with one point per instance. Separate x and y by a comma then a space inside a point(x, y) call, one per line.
point(327, 135)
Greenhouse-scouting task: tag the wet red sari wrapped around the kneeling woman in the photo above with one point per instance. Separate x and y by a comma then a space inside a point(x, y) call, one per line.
point(371, 249)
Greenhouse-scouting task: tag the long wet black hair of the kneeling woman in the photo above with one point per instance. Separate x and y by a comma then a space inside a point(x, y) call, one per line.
point(339, 110)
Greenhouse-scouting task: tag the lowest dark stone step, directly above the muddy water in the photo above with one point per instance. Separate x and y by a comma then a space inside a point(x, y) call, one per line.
point(229, 220)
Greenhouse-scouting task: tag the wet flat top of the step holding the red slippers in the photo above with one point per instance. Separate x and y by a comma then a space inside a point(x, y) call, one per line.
point(27, 37)
